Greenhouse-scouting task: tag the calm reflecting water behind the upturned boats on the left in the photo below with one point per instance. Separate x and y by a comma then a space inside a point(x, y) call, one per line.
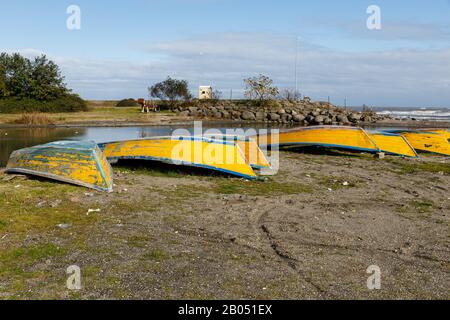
point(17, 138)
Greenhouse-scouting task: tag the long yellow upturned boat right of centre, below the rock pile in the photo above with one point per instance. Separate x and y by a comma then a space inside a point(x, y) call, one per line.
point(323, 136)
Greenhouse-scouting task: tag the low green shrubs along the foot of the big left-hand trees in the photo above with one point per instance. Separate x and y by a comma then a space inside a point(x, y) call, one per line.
point(67, 103)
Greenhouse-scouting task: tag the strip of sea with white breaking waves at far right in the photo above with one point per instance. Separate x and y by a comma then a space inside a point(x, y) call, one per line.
point(431, 114)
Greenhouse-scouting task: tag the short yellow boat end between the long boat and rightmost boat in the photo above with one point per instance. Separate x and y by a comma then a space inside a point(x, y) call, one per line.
point(394, 144)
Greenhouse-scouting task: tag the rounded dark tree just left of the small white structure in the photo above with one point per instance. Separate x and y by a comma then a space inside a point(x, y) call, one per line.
point(171, 89)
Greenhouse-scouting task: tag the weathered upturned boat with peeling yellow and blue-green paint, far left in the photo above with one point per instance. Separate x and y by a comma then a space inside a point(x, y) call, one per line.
point(76, 162)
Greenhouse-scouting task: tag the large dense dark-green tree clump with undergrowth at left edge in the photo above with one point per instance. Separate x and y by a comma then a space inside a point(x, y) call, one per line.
point(34, 85)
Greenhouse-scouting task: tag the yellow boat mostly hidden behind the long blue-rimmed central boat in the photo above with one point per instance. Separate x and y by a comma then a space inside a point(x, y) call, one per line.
point(252, 152)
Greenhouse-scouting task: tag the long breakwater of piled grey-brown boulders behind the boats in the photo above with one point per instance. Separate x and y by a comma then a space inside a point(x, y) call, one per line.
point(303, 112)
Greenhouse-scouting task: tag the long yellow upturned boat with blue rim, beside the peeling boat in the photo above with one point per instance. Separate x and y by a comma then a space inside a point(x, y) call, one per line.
point(200, 152)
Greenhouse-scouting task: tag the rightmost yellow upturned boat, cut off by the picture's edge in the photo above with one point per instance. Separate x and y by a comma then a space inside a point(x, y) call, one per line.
point(433, 142)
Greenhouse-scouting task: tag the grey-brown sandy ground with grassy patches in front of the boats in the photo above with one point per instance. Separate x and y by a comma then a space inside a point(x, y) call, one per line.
point(309, 232)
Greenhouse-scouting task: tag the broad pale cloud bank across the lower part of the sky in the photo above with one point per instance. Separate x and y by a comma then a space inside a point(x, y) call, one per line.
point(410, 77)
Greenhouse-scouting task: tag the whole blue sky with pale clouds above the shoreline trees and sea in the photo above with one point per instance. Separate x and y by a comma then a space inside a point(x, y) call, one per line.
point(125, 46)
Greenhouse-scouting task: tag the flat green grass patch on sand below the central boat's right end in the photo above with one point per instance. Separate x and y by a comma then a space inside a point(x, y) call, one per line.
point(259, 188)
